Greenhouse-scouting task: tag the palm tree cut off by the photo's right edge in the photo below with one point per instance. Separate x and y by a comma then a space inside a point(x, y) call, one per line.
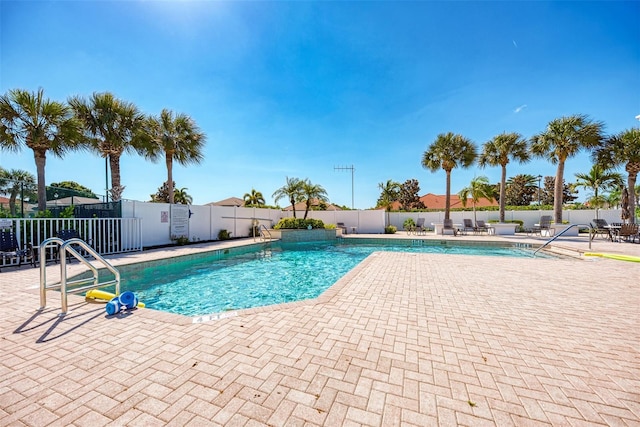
point(622, 149)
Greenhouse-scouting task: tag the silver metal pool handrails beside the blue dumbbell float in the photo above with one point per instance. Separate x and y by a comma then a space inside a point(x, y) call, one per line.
point(64, 248)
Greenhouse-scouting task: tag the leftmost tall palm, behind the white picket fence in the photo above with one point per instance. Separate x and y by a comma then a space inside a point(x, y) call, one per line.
point(28, 118)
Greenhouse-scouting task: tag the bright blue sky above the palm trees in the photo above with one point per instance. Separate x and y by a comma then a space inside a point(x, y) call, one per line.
point(297, 88)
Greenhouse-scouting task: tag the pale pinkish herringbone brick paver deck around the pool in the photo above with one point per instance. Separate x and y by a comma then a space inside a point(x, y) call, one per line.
point(403, 339)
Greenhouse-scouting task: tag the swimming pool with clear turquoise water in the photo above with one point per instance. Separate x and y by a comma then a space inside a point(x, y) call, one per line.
point(260, 275)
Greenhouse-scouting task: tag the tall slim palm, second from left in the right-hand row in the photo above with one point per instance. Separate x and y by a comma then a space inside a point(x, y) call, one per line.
point(498, 152)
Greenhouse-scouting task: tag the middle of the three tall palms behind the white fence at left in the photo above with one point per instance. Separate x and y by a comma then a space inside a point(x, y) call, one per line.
point(113, 127)
